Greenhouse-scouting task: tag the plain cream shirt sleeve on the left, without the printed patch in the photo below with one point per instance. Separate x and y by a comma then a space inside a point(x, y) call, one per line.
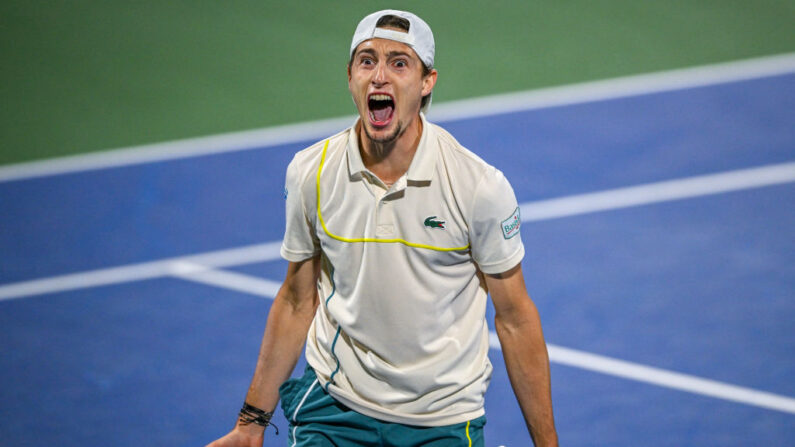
point(300, 241)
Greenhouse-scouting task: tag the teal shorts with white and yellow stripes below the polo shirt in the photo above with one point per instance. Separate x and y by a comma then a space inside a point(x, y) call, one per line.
point(317, 420)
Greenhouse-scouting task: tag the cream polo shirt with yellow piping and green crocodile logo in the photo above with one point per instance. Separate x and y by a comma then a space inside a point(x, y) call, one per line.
point(400, 333)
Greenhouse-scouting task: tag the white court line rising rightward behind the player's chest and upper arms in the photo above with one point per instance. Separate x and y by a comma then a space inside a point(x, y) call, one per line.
point(530, 211)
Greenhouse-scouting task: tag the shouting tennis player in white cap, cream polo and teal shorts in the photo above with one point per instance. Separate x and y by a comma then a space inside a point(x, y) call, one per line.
point(395, 236)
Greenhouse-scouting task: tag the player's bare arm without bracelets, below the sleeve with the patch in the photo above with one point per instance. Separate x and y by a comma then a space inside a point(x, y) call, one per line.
point(519, 329)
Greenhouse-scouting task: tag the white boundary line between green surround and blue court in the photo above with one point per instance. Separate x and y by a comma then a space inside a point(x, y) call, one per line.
point(622, 87)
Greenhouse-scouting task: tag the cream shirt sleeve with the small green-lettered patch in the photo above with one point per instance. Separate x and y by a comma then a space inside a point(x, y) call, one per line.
point(495, 223)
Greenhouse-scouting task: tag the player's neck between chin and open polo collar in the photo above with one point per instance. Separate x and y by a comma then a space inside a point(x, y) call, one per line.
point(390, 160)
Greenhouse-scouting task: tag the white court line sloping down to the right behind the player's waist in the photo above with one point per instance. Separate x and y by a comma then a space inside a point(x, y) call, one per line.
point(557, 354)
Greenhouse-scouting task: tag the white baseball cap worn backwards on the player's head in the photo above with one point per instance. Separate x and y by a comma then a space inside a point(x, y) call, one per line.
point(419, 36)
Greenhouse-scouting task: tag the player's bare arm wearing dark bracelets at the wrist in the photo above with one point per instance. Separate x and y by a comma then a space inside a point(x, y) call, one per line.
point(285, 334)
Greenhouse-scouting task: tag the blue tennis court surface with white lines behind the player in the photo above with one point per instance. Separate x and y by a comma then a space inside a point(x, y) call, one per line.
point(133, 298)
